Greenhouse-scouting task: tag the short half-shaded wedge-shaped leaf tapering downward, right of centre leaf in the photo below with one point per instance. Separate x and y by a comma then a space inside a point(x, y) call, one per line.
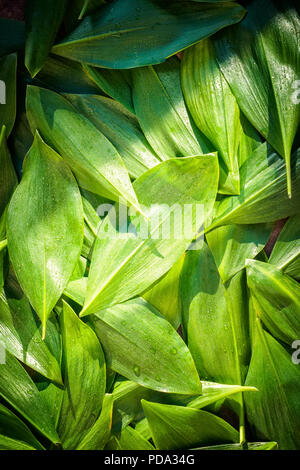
point(232, 245)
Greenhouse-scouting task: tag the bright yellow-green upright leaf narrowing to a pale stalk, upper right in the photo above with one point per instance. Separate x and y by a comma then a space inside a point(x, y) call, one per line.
point(214, 109)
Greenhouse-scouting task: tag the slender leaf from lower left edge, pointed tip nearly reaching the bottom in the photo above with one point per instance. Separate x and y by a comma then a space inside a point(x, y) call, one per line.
point(17, 388)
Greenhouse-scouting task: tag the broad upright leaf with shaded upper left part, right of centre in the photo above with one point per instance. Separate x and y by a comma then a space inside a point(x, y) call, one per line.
point(215, 319)
